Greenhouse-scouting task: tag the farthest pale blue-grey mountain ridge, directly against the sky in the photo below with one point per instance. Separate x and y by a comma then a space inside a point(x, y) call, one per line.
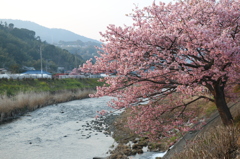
point(50, 35)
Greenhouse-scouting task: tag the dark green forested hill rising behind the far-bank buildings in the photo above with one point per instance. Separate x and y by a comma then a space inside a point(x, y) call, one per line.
point(21, 47)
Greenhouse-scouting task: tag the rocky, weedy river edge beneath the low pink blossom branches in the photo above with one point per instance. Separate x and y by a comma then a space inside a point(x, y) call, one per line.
point(128, 144)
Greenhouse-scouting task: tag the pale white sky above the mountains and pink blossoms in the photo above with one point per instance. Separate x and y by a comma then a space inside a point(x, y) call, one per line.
point(84, 17)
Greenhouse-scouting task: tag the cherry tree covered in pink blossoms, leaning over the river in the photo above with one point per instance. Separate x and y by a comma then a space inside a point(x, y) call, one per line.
point(172, 51)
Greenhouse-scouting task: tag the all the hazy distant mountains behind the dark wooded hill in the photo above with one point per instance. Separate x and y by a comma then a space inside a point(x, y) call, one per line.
point(75, 44)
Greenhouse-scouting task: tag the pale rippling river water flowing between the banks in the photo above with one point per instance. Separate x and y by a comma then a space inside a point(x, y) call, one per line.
point(57, 132)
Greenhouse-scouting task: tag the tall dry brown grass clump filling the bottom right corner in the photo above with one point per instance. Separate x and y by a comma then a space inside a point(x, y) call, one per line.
point(217, 143)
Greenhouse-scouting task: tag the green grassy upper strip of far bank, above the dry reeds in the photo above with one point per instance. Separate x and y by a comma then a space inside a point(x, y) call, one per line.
point(10, 87)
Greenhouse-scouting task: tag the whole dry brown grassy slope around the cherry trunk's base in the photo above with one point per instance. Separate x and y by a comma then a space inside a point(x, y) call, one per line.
point(214, 141)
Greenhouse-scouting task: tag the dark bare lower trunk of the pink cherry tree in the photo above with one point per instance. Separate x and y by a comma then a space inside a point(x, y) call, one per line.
point(221, 104)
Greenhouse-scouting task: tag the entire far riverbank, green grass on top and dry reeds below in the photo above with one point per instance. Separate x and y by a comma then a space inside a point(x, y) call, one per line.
point(20, 96)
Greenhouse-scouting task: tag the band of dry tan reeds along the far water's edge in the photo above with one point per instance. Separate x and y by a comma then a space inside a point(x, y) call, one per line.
point(22, 102)
